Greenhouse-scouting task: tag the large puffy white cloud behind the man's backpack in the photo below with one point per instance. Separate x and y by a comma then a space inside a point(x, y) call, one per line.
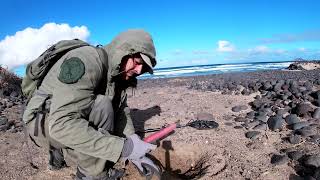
point(29, 43)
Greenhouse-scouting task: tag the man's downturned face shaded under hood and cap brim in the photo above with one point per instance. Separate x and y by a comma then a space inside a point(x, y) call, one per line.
point(133, 66)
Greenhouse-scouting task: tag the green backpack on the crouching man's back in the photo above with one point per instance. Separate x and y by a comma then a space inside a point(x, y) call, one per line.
point(38, 68)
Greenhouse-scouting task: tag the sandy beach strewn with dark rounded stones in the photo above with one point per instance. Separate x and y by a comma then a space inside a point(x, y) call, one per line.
point(251, 142)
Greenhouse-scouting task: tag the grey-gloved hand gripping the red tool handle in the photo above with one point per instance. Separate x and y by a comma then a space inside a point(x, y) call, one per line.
point(134, 148)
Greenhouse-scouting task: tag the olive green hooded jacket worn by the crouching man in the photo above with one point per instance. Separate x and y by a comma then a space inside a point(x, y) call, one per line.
point(71, 102)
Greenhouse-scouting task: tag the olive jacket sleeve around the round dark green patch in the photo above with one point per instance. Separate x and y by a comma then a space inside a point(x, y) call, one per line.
point(69, 111)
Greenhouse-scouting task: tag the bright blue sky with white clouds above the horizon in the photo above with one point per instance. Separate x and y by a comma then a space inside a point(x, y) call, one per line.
point(185, 33)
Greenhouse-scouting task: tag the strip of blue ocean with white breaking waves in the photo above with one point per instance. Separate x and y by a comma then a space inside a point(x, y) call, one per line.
point(214, 69)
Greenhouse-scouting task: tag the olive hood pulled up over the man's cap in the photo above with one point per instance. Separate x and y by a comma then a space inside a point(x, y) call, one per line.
point(129, 42)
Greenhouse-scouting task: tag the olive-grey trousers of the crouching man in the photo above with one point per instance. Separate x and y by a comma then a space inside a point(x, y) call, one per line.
point(101, 118)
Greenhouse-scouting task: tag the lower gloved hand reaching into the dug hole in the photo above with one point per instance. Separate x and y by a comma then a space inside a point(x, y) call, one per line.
point(146, 167)
